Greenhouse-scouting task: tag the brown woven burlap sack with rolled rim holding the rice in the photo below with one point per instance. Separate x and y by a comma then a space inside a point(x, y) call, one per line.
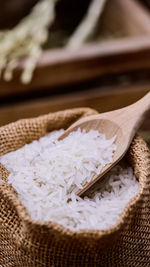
point(25, 243)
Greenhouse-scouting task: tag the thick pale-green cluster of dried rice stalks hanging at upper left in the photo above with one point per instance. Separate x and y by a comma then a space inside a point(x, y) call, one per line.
point(25, 40)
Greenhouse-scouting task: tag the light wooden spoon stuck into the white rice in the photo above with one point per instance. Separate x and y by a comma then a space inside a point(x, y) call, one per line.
point(122, 122)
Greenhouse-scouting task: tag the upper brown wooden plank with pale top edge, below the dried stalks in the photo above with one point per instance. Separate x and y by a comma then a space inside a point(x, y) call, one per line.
point(59, 68)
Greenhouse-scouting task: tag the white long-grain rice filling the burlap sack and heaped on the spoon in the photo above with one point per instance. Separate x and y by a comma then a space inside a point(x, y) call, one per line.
point(48, 172)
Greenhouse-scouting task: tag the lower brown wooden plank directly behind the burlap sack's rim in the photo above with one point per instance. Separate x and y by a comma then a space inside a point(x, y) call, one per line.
point(101, 99)
